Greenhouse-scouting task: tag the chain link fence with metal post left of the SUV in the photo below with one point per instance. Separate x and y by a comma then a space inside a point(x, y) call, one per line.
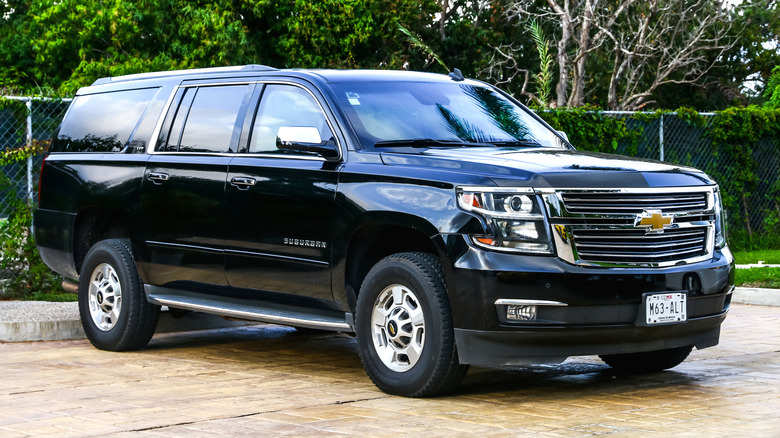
point(27, 121)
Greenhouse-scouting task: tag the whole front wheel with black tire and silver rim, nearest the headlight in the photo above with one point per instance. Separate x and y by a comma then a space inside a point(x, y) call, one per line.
point(404, 327)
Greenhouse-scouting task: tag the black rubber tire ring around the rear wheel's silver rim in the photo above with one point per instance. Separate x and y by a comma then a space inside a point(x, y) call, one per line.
point(117, 255)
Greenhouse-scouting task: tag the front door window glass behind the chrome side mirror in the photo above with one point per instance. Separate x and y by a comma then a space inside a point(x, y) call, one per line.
point(285, 105)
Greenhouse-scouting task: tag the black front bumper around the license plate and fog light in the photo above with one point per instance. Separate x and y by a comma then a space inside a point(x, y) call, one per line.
point(603, 312)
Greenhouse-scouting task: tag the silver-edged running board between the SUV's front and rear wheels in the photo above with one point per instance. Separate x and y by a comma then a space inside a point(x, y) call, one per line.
point(251, 310)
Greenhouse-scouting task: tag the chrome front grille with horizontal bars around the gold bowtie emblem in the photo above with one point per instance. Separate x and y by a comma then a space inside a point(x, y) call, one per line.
point(601, 226)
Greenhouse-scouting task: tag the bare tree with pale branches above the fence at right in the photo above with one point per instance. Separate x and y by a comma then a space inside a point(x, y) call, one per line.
point(639, 45)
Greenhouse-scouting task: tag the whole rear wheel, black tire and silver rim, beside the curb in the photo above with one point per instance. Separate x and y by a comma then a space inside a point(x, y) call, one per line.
point(112, 304)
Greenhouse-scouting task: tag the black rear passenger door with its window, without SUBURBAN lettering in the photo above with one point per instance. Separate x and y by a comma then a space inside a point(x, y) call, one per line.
point(183, 192)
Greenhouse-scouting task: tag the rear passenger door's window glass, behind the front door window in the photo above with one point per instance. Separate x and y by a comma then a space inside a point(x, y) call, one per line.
point(211, 119)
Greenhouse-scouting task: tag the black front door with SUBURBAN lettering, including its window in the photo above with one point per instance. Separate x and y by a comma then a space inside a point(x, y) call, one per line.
point(280, 202)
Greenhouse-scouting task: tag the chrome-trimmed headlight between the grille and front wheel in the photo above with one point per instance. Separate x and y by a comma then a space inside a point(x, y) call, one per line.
point(515, 218)
